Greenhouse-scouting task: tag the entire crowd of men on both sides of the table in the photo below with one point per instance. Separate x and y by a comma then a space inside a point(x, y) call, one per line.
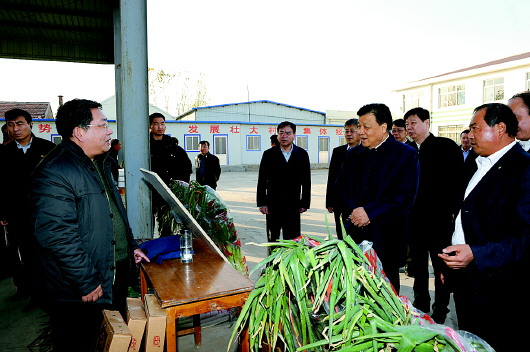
point(415, 196)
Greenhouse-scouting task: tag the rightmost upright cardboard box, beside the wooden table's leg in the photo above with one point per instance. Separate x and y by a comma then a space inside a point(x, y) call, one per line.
point(156, 324)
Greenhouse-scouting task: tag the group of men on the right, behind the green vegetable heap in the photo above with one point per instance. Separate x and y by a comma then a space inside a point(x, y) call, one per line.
point(421, 198)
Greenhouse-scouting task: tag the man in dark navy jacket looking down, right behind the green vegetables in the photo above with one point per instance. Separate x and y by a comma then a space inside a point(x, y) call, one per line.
point(376, 188)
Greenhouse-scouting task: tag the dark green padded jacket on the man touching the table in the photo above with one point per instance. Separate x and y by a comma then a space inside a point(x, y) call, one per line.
point(73, 224)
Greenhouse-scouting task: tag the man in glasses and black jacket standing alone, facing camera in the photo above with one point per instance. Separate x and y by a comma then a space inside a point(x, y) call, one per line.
point(284, 185)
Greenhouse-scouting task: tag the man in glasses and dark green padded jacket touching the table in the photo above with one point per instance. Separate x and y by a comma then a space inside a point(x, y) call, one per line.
point(85, 245)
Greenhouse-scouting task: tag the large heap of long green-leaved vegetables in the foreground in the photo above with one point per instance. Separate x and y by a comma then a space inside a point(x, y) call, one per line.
point(328, 297)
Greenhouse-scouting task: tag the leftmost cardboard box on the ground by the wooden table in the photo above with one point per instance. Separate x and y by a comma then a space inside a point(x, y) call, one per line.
point(115, 336)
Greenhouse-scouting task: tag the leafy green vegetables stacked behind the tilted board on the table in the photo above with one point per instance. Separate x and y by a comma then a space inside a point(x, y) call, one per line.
point(210, 212)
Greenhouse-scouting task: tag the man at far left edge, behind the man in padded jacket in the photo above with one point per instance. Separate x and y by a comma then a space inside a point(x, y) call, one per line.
point(19, 159)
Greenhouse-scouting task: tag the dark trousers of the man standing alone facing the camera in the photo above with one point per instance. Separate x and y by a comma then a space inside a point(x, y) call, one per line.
point(285, 221)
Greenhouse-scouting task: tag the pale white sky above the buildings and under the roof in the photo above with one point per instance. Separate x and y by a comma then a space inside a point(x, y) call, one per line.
point(319, 55)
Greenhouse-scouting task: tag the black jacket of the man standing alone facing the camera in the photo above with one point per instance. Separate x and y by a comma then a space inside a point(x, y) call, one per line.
point(284, 184)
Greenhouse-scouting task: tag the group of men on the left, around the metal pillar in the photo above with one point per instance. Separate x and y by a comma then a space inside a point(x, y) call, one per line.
point(68, 242)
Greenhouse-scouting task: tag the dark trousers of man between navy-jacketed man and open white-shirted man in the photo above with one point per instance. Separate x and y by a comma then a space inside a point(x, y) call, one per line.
point(419, 253)
